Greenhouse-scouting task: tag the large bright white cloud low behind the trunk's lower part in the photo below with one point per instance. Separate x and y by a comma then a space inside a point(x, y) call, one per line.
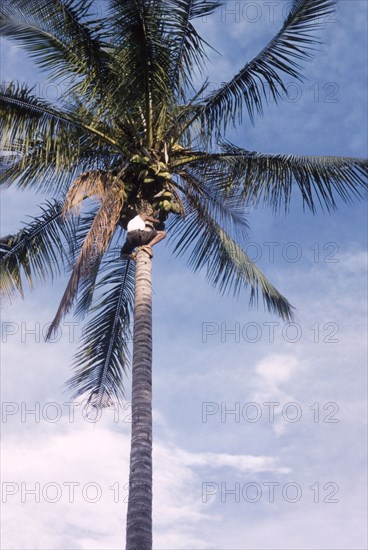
point(79, 474)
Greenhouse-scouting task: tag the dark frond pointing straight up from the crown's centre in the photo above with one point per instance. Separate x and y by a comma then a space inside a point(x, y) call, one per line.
point(141, 60)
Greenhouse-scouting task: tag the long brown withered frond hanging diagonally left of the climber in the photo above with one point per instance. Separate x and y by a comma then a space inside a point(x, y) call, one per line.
point(94, 246)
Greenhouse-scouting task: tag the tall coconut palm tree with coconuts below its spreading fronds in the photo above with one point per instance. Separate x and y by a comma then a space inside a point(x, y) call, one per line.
point(134, 132)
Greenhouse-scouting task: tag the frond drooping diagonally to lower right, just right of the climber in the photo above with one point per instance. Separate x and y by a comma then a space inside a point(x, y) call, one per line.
point(227, 266)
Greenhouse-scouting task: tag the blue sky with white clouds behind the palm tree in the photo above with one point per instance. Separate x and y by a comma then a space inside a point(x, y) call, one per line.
point(285, 469)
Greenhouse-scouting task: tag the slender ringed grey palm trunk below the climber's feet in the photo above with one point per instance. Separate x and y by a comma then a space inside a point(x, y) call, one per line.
point(139, 516)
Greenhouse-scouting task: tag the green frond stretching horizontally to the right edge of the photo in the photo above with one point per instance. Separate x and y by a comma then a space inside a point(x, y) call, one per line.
point(272, 179)
